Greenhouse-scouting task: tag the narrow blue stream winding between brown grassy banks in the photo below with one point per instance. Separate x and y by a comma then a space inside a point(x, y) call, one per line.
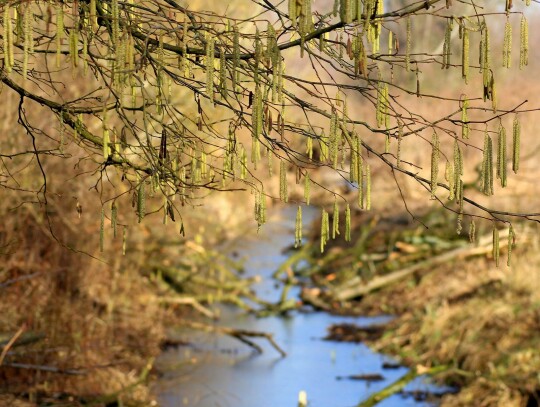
point(216, 370)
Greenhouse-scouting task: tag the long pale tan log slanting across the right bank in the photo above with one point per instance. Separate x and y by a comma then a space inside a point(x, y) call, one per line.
point(357, 290)
